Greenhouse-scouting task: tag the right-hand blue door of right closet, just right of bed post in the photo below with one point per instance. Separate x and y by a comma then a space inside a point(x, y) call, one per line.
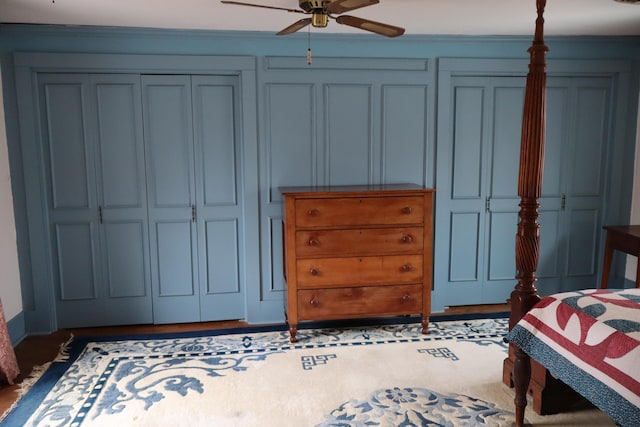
point(578, 131)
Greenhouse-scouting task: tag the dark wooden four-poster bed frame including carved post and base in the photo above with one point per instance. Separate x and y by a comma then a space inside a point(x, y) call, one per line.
point(519, 369)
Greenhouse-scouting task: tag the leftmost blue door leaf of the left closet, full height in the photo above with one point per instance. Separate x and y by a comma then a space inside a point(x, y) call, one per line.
point(71, 197)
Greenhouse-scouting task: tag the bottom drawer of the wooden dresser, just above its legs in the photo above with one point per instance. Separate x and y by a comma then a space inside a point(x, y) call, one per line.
point(359, 301)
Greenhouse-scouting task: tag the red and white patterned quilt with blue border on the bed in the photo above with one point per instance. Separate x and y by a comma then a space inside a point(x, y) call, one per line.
point(590, 340)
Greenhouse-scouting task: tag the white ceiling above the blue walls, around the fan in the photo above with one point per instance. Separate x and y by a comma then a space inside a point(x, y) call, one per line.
point(472, 17)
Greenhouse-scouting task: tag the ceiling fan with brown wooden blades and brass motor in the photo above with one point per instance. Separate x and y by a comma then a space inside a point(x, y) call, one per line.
point(322, 10)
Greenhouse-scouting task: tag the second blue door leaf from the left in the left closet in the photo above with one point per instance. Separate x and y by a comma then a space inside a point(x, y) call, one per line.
point(122, 198)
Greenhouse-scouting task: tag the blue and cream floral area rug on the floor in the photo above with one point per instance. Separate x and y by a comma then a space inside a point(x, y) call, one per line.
point(387, 375)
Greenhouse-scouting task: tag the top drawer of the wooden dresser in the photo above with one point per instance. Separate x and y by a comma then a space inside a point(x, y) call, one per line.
point(354, 211)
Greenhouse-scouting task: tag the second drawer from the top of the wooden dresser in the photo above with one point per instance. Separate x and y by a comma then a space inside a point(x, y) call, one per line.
point(371, 241)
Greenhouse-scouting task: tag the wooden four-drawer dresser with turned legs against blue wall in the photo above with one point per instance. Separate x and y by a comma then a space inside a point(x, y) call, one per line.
point(357, 251)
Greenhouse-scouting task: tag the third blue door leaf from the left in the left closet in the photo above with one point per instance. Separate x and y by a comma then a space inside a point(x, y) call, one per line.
point(168, 138)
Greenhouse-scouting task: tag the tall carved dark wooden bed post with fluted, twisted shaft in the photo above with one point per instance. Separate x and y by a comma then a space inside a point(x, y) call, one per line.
point(525, 294)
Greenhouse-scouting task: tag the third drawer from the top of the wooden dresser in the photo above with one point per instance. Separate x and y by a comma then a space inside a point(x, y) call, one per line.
point(312, 273)
